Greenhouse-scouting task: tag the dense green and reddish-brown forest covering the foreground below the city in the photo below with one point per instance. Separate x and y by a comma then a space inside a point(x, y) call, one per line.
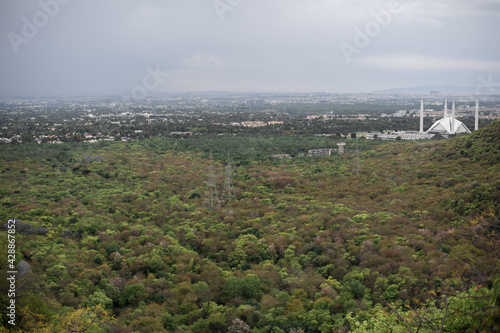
point(401, 237)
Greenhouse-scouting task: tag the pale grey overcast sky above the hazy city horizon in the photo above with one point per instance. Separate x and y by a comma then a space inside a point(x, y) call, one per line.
point(110, 46)
